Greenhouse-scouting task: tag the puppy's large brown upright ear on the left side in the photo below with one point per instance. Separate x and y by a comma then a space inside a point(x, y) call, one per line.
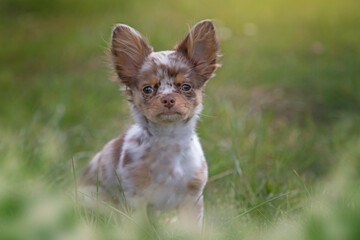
point(128, 50)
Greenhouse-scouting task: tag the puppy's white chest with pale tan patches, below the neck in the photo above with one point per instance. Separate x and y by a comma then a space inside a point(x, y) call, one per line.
point(159, 172)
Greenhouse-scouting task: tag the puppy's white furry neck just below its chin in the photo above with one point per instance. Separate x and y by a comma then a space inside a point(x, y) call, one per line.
point(180, 130)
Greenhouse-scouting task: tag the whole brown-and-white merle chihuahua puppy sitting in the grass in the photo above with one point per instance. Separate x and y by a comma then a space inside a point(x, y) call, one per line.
point(158, 162)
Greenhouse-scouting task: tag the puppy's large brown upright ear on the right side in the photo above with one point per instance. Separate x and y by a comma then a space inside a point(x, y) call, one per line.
point(201, 47)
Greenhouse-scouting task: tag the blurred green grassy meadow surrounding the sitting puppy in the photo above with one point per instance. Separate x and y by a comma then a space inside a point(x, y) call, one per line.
point(280, 118)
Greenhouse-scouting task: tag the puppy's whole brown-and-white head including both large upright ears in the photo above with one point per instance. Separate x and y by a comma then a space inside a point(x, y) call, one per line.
point(166, 86)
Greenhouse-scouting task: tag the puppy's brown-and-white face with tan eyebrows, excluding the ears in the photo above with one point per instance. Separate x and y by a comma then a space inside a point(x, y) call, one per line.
point(165, 90)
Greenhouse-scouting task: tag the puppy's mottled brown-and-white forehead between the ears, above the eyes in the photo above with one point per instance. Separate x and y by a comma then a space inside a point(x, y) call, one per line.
point(164, 65)
